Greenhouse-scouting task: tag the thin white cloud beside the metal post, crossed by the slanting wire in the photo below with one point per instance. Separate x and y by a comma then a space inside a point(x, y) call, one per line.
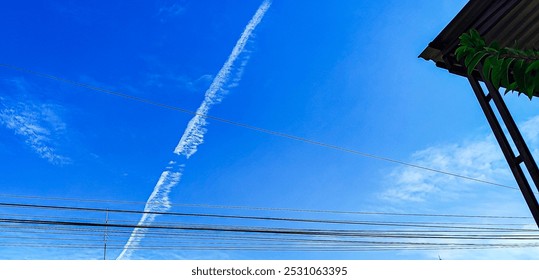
point(480, 158)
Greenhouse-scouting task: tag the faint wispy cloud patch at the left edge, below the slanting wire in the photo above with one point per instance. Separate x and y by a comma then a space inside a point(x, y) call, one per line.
point(37, 124)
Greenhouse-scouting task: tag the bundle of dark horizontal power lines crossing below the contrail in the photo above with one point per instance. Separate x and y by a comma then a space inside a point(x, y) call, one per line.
point(60, 226)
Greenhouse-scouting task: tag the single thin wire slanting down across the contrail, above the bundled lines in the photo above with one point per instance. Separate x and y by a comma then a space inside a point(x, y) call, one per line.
point(247, 126)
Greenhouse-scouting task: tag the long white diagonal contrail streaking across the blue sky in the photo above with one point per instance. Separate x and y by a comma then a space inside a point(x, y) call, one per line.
point(192, 137)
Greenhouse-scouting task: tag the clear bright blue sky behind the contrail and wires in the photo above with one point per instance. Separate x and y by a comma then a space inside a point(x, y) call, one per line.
point(345, 73)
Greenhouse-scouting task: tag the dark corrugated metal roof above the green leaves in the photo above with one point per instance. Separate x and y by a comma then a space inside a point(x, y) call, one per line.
point(505, 21)
